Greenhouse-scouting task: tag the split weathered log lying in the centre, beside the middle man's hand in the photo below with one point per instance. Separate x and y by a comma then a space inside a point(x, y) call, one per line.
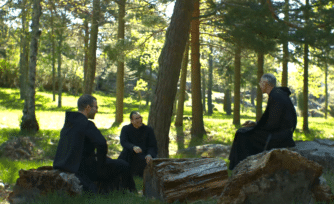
point(172, 180)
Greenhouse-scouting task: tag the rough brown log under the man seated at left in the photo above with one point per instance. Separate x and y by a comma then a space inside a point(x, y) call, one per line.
point(43, 180)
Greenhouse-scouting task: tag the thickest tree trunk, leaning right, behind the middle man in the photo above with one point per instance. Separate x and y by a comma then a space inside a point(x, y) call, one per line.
point(169, 70)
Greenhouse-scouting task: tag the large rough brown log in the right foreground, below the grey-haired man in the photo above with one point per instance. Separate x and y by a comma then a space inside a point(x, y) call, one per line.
point(275, 177)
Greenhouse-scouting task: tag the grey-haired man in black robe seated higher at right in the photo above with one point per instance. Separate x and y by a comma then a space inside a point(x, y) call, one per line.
point(273, 130)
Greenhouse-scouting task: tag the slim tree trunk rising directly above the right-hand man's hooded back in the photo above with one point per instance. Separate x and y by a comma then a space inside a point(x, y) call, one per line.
point(285, 47)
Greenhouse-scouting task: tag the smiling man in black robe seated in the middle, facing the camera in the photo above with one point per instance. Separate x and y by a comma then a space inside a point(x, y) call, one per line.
point(139, 144)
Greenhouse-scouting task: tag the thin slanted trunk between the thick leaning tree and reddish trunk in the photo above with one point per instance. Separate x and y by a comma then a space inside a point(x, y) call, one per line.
point(180, 108)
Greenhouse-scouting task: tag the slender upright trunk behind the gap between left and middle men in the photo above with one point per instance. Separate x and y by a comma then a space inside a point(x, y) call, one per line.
point(120, 65)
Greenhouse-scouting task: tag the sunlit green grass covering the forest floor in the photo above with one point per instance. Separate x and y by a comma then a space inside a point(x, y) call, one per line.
point(219, 127)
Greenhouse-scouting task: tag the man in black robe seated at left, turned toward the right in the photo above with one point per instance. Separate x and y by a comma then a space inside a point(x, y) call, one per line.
point(79, 138)
